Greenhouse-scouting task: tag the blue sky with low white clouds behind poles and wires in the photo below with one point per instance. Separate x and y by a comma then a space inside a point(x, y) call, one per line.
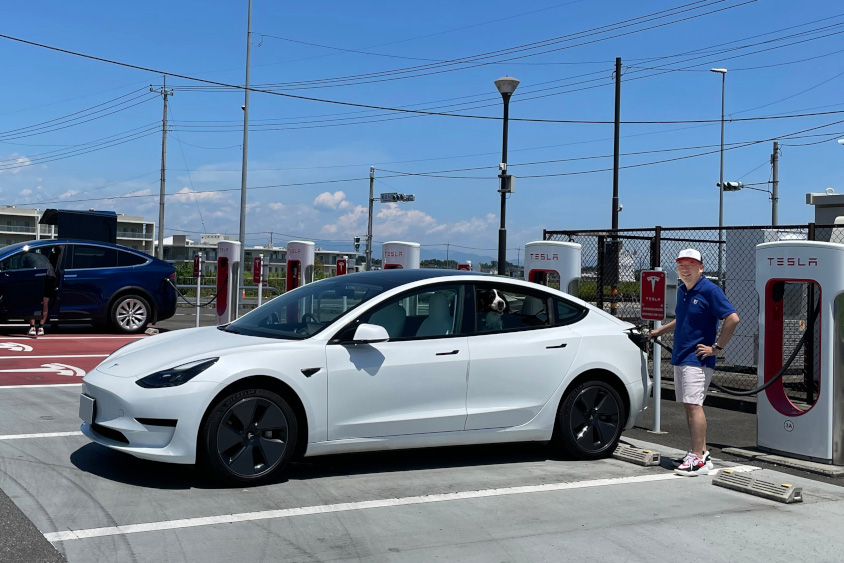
point(784, 58)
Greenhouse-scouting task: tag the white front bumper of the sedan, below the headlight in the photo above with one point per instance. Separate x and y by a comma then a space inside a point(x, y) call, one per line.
point(155, 424)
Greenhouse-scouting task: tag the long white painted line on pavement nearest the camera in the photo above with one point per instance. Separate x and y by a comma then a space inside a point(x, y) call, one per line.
point(69, 535)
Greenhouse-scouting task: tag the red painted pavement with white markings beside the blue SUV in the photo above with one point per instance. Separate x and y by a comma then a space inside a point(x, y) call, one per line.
point(54, 359)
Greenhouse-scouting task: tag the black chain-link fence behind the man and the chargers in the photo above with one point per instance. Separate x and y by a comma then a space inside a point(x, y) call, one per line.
point(611, 263)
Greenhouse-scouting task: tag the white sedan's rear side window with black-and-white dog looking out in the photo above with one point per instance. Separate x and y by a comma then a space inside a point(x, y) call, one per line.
point(499, 308)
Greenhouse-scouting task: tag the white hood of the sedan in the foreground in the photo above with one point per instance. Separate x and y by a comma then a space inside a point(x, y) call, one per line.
point(171, 349)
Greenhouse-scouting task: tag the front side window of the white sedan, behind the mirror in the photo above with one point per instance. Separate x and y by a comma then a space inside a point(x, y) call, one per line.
point(428, 313)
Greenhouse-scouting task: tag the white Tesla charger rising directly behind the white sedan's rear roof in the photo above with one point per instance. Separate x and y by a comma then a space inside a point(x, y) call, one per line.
point(550, 262)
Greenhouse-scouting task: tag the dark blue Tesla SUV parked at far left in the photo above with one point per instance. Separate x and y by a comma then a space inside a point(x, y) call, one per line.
point(97, 283)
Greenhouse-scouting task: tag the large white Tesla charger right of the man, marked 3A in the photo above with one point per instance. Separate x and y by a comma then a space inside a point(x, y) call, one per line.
point(799, 282)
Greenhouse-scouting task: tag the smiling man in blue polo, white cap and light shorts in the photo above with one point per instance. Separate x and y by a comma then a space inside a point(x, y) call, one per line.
point(700, 305)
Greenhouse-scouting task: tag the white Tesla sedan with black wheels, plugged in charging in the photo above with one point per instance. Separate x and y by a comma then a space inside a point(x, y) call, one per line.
point(372, 361)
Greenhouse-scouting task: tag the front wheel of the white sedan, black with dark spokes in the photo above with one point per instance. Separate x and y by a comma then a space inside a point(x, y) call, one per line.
point(248, 437)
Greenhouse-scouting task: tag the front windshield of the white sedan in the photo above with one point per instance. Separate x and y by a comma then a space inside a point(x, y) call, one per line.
point(305, 311)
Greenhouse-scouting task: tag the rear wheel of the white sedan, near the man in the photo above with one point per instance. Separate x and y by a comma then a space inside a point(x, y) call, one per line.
point(589, 421)
